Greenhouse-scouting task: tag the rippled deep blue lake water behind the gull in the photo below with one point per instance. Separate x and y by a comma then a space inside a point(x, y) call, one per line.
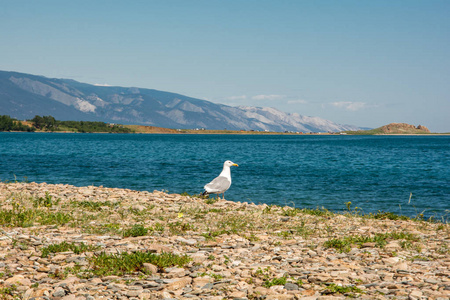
point(373, 172)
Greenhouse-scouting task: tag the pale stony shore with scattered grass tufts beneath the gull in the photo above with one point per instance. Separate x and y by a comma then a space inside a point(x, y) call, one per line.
point(232, 250)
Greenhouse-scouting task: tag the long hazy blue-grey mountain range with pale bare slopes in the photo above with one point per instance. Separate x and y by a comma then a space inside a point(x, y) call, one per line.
point(22, 96)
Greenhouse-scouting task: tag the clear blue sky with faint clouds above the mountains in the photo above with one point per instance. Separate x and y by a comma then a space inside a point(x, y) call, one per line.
point(365, 63)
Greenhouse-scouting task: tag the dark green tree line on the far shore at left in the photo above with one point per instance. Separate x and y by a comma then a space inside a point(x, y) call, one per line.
point(49, 123)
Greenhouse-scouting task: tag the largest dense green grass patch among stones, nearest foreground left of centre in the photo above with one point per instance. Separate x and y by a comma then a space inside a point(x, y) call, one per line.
point(128, 263)
